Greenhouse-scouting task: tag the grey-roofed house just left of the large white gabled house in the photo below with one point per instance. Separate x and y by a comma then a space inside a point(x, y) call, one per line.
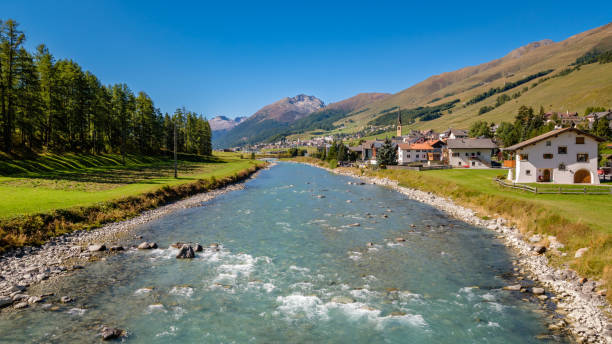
point(470, 153)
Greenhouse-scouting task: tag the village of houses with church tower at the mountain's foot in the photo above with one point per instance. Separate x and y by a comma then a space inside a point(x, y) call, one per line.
point(567, 154)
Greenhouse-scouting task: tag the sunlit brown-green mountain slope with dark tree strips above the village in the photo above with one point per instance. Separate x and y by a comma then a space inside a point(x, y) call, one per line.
point(542, 73)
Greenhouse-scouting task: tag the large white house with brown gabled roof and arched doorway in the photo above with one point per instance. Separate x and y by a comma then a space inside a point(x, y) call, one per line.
point(563, 156)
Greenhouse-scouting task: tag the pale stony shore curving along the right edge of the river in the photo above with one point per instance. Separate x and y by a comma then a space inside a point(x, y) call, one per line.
point(584, 307)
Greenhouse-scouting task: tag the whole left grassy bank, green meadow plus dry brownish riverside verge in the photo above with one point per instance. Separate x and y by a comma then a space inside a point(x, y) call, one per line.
point(38, 203)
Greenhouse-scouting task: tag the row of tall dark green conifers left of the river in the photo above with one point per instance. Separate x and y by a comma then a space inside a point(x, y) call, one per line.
point(54, 105)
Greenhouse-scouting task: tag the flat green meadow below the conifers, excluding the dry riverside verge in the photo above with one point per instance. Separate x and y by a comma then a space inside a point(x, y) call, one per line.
point(58, 182)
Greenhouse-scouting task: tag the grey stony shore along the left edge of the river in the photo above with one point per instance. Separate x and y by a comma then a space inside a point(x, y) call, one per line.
point(22, 269)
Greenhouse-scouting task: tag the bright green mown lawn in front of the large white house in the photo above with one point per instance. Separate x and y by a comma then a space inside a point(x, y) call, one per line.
point(593, 210)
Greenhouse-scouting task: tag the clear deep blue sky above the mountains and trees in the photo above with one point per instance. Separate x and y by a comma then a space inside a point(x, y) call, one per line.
point(231, 58)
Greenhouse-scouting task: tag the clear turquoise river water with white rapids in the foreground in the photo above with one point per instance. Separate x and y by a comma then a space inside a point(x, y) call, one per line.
point(293, 267)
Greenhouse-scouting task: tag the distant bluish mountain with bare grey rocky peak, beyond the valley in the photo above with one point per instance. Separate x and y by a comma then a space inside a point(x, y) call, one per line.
point(269, 121)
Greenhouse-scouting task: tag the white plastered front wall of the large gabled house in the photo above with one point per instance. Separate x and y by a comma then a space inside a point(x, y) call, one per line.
point(536, 161)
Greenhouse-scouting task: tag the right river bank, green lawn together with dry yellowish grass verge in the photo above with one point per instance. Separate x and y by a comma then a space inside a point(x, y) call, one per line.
point(576, 220)
